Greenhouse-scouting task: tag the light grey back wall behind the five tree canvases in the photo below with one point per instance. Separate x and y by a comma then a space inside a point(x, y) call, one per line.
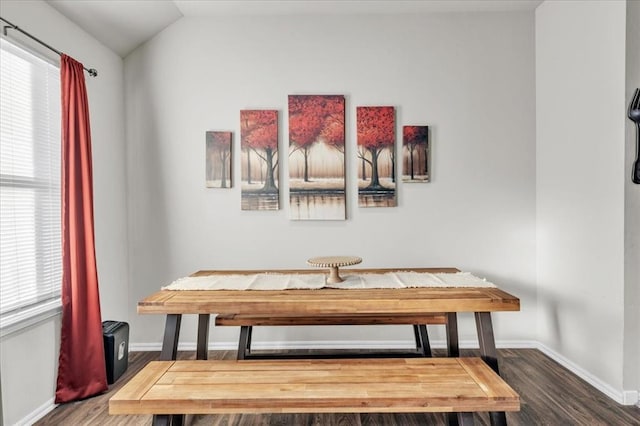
point(469, 76)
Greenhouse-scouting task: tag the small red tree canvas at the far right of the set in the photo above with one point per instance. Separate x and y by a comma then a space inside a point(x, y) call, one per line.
point(415, 154)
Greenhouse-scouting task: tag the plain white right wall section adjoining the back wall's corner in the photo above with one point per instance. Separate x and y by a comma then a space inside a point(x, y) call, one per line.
point(580, 175)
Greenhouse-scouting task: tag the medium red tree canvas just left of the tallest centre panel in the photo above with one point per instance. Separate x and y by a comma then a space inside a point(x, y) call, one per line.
point(259, 159)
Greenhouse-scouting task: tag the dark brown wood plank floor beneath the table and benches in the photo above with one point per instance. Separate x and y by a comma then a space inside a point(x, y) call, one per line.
point(549, 393)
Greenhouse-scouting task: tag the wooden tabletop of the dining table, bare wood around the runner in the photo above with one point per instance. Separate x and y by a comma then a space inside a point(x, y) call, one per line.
point(330, 302)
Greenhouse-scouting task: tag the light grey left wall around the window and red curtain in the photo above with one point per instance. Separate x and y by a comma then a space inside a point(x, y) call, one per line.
point(28, 362)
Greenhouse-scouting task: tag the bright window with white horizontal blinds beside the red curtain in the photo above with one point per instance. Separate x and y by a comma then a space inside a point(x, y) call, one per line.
point(30, 239)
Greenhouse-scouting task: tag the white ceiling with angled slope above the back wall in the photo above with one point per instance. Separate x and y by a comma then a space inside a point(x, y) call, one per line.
point(122, 25)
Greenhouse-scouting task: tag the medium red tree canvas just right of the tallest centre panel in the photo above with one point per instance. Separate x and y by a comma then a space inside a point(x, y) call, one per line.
point(376, 156)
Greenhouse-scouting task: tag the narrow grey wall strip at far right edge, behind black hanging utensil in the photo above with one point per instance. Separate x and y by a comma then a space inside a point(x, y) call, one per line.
point(632, 210)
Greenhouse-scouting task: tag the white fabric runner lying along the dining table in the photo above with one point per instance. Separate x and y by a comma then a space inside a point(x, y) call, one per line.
point(276, 281)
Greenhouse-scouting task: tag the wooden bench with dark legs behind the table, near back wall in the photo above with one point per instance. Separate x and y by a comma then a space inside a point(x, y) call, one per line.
point(247, 322)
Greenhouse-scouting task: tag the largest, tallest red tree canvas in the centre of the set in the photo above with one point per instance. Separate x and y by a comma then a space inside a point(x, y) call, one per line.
point(316, 157)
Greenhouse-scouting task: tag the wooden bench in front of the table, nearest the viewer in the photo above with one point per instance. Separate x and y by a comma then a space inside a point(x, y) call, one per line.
point(391, 385)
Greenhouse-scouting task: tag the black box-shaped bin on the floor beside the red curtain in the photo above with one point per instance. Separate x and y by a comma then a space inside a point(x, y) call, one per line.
point(116, 348)
